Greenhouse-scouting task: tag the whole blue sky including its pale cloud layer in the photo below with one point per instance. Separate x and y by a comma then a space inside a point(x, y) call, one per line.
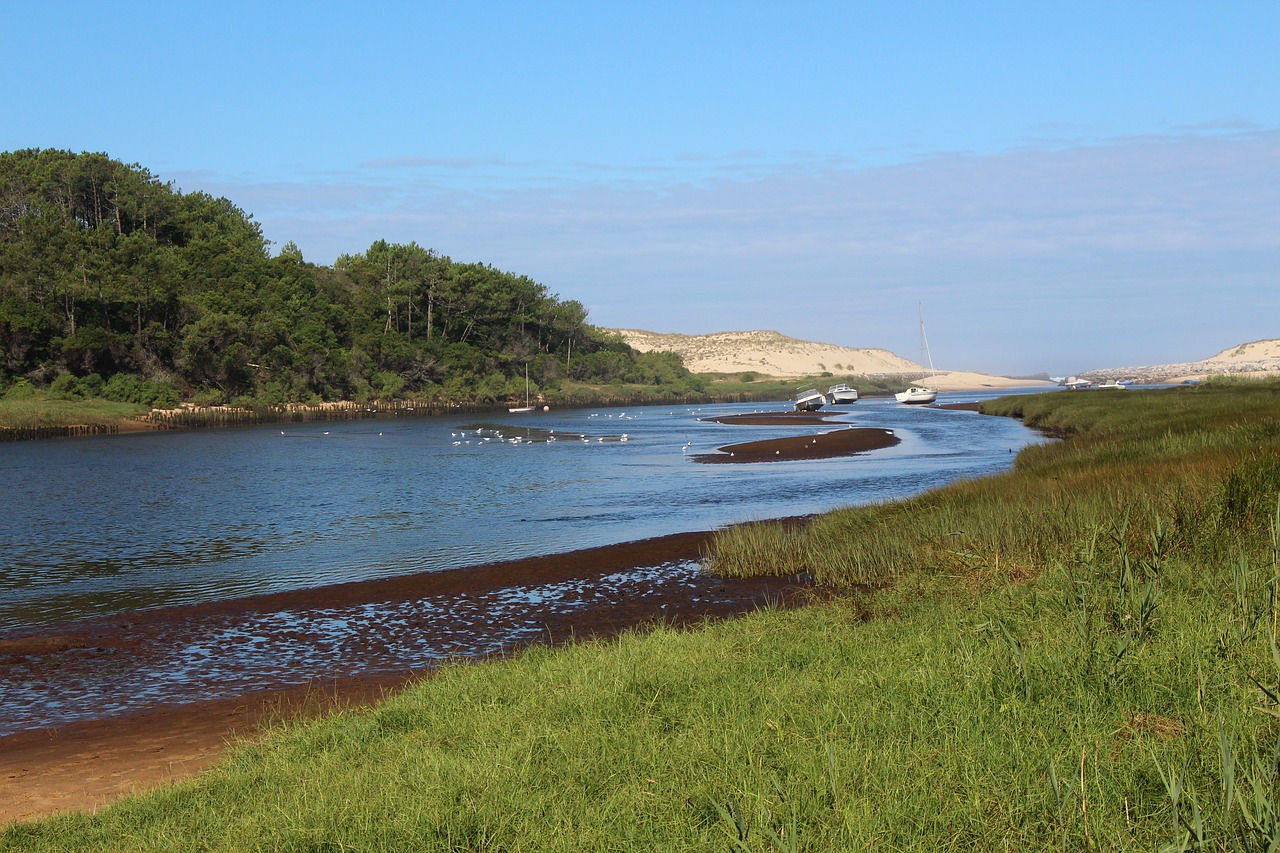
point(1055, 186)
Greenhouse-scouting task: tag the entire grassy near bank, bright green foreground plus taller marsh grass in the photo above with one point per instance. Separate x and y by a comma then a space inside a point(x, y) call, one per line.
point(1078, 655)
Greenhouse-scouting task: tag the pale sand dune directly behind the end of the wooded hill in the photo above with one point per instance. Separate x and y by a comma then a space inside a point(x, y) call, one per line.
point(767, 353)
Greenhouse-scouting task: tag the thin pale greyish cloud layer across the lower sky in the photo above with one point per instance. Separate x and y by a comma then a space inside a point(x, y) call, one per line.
point(1032, 259)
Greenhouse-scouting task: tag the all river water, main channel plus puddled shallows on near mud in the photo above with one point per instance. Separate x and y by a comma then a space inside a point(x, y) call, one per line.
point(98, 527)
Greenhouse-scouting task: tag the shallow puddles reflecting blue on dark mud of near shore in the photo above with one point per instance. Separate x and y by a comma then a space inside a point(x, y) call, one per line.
point(213, 656)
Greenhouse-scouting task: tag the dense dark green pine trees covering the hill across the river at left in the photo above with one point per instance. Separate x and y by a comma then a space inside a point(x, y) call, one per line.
point(113, 282)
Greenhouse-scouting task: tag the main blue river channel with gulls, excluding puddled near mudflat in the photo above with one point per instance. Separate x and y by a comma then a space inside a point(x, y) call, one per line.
point(106, 526)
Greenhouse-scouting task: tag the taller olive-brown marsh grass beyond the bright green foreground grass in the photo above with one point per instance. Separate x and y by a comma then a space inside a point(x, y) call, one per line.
point(1205, 460)
